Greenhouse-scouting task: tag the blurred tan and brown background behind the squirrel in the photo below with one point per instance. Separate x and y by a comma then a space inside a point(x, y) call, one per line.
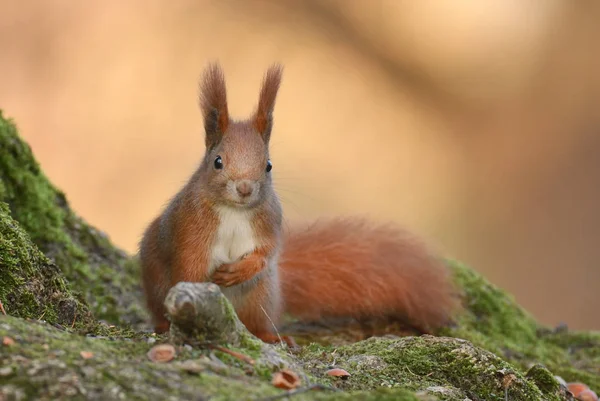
point(473, 123)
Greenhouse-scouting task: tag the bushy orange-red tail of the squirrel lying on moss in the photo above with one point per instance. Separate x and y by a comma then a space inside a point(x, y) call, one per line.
point(357, 269)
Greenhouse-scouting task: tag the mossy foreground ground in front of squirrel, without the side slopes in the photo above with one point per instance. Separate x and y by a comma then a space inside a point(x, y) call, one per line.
point(43, 362)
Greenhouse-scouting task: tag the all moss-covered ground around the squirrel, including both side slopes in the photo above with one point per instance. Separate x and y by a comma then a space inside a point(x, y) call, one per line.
point(49, 257)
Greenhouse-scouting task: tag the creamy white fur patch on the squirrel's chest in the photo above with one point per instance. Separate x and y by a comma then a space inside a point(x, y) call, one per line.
point(234, 238)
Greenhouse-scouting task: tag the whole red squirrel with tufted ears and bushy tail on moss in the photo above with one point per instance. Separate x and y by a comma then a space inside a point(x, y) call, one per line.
point(225, 226)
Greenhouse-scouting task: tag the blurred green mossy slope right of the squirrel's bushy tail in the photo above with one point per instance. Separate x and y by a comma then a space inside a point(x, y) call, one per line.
point(494, 321)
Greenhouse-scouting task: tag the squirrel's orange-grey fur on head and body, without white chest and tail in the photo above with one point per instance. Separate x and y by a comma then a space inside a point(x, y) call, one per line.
point(178, 245)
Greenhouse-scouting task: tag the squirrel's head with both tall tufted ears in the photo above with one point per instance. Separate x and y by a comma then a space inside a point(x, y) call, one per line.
point(236, 166)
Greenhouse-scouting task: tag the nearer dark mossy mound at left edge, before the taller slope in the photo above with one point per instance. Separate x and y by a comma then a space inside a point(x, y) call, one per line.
point(31, 286)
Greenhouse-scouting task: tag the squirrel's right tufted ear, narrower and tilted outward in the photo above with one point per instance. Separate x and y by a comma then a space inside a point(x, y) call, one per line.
point(263, 118)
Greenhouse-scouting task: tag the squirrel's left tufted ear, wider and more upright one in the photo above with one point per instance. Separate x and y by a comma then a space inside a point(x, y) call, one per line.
point(213, 104)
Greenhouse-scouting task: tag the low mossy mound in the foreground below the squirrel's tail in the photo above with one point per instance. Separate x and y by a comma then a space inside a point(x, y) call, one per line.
point(450, 368)
